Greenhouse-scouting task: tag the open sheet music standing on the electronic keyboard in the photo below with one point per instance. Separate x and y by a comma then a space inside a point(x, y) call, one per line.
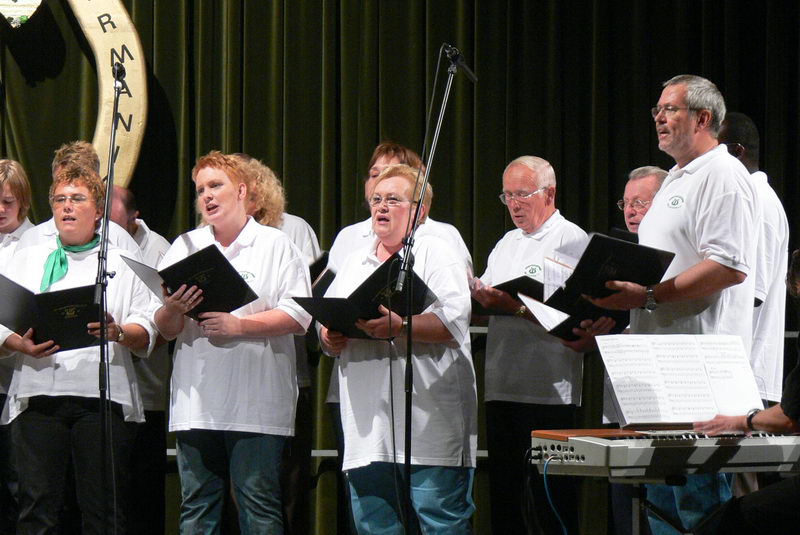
point(672, 380)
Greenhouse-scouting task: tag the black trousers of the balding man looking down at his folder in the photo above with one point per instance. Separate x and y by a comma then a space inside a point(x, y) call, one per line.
point(508, 433)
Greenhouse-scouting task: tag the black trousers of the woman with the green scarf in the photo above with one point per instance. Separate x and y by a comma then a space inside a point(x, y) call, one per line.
point(51, 434)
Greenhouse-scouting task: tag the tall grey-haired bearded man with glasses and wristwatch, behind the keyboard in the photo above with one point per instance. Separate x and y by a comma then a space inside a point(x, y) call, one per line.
point(706, 212)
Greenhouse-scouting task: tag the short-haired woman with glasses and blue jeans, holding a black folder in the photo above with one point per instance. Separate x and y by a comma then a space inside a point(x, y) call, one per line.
point(371, 379)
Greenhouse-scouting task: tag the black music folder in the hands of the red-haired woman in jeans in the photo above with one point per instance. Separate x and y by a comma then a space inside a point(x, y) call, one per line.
point(224, 290)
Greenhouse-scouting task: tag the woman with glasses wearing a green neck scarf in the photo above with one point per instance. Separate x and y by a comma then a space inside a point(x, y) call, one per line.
point(52, 399)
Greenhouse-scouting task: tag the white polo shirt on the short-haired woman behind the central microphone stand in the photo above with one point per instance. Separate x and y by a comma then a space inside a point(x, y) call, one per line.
point(444, 419)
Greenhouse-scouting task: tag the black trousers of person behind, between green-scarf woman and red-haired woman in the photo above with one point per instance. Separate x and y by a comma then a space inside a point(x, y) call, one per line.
point(148, 472)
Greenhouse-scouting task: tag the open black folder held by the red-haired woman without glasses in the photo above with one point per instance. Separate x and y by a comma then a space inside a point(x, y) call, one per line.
point(237, 293)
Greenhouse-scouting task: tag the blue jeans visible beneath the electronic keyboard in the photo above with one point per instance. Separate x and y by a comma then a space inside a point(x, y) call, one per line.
point(688, 504)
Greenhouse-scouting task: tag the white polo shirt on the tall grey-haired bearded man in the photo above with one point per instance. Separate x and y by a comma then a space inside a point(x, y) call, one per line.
point(706, 210)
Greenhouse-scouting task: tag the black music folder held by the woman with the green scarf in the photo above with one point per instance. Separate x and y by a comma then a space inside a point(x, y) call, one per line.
point(60, 316)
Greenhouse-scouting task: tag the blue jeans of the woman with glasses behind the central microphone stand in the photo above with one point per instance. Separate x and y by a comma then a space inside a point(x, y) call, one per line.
point(441, 496)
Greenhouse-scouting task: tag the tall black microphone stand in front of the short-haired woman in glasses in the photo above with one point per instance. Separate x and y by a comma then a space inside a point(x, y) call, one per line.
point(404, 280)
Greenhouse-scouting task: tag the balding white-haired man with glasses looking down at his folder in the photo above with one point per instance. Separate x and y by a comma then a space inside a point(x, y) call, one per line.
point(532, 380)
